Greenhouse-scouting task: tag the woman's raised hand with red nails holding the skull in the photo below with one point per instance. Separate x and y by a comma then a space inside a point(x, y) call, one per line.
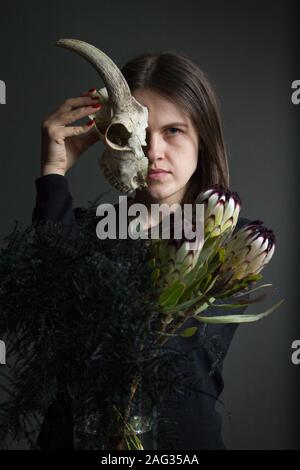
point(62, 145)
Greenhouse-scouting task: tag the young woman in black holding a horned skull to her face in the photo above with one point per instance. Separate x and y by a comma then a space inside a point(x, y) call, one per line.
point(185, 142)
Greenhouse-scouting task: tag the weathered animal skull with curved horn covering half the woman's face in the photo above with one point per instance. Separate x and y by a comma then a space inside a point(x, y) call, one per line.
point(121, 122)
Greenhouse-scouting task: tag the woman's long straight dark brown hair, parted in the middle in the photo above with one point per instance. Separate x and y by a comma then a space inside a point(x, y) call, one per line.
point(179, 79)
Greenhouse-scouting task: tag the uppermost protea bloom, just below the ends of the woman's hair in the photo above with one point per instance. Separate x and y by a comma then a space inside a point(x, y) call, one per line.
point(222, 208)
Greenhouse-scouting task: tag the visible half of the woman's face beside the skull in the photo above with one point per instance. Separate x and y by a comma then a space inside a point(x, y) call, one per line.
point(172, 145)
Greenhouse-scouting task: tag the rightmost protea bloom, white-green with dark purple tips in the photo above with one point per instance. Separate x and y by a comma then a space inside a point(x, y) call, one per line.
point(249, 250)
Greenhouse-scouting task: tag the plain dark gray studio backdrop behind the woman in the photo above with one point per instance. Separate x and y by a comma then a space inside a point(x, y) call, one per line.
point(248, 49)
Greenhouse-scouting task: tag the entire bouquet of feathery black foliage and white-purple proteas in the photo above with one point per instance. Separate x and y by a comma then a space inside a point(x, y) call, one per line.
point(89, 322)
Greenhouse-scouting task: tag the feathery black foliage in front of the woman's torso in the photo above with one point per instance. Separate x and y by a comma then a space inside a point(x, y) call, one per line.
point(79, 318)
